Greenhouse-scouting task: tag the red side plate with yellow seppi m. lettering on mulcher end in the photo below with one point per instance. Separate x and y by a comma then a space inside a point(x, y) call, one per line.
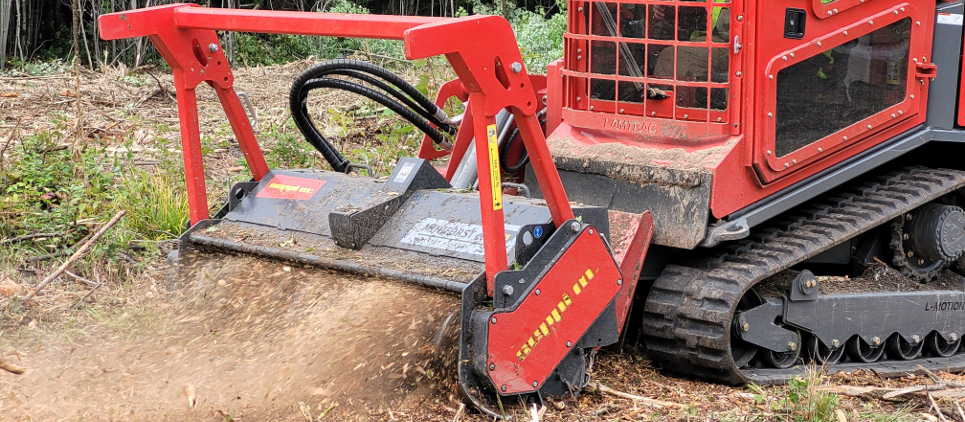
point(527, 344)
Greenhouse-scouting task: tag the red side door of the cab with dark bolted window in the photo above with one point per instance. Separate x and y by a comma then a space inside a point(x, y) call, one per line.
point(833, 77)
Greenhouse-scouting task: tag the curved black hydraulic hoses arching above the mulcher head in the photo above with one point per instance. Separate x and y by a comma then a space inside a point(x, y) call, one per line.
point(390, 90)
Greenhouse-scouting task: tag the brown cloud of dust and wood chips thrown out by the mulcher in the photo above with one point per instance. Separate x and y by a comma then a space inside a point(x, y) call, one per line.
point(249, 339)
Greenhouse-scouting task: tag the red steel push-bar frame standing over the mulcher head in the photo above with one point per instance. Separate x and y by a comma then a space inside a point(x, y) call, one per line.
point(480, 49)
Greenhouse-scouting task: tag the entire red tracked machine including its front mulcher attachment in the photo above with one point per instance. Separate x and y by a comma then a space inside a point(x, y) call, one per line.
point(754, 143)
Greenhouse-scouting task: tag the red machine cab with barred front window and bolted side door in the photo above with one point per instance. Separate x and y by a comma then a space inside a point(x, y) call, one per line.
point(757, 101)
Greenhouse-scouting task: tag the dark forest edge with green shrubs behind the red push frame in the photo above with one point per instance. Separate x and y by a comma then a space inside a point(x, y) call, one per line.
point(41, 30)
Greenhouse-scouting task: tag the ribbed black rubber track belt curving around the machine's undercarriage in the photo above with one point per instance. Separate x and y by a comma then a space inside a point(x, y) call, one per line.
point(687, 317)
